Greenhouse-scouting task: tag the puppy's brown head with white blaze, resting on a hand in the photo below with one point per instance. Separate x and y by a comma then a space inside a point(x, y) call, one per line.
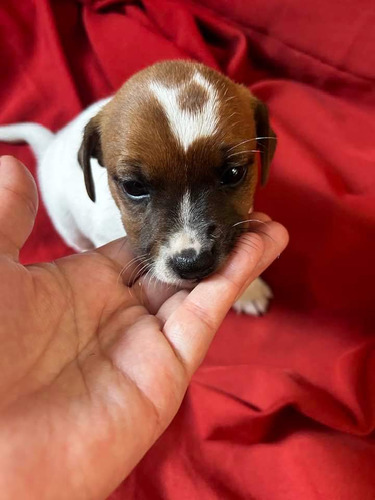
point(180, 143)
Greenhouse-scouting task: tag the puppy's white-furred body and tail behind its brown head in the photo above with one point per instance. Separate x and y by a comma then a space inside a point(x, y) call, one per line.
point(81, 223)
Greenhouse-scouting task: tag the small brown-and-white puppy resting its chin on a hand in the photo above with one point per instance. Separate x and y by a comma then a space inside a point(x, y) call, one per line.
point(171, 159)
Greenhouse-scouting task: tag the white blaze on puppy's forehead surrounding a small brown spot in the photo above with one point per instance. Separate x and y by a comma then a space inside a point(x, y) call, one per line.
point(188, 125)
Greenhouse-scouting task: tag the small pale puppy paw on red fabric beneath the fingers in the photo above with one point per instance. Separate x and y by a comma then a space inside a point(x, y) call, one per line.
point(255, 298)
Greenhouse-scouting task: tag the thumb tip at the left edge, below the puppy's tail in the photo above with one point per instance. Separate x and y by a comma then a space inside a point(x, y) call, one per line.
point(18, 205)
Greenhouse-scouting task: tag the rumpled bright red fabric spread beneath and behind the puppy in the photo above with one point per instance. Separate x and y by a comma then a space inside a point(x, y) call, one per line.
point(284, 406)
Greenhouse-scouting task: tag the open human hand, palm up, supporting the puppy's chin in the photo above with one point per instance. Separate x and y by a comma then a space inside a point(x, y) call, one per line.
point(91, 372)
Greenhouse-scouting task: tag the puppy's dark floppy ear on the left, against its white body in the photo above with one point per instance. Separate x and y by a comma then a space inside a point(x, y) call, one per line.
point(90, 148)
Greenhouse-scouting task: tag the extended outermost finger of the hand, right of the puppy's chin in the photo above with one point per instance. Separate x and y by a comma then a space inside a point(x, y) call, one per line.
point(192, 325)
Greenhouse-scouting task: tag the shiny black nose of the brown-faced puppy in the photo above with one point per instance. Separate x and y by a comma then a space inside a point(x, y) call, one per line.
point(190, 265)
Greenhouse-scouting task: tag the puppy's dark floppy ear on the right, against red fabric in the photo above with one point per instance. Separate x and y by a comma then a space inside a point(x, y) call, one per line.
point(266, 139)
